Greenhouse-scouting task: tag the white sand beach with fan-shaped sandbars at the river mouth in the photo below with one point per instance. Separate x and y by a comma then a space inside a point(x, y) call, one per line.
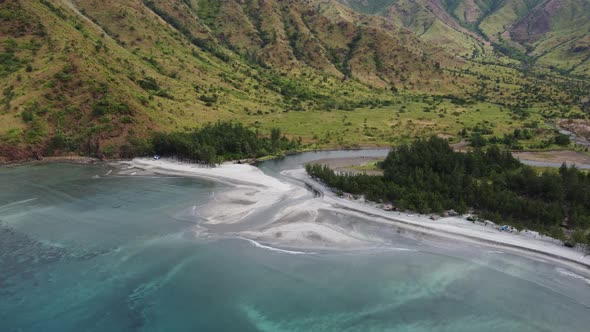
point(304, 224)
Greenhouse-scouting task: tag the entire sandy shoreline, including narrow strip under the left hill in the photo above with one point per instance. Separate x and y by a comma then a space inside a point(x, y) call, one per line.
point(254, 191)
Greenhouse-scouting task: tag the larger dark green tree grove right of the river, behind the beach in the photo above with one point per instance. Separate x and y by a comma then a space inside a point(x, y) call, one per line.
point(428, 176)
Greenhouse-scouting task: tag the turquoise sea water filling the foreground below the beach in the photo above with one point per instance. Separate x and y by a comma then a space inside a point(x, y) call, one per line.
point(79, 253)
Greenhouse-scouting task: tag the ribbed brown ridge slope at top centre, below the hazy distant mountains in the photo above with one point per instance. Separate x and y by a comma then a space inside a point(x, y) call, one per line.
point(324, 36)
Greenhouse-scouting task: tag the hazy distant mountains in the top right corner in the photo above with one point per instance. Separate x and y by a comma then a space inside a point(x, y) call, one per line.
point(551, 33)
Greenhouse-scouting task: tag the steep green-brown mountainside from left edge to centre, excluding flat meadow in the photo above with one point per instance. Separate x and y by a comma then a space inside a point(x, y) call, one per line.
point(88, 76)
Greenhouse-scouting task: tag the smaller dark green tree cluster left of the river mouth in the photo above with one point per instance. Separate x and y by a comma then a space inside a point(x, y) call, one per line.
point(220, 141)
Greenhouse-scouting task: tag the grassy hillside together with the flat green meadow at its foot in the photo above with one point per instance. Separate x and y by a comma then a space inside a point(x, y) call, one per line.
point(96, 78)
